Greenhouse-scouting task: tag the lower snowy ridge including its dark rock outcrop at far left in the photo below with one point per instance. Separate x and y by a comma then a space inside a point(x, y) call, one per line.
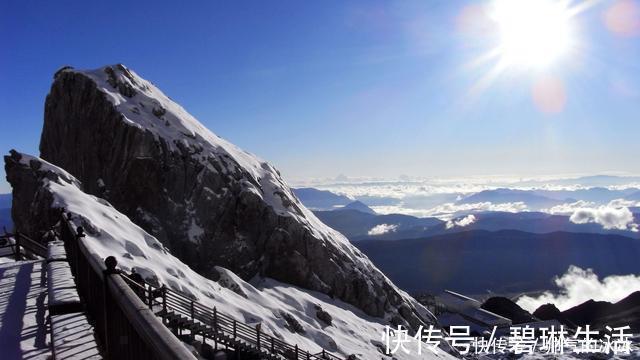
point(41, 189)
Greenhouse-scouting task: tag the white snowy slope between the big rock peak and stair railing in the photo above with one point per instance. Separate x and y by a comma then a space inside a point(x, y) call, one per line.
point(263, 301)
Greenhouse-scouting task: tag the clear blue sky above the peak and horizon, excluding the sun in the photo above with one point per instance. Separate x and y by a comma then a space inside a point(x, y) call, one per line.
point(362, 88)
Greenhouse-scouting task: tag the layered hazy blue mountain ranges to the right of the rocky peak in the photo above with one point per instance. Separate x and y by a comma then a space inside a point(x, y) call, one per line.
point(507, 252)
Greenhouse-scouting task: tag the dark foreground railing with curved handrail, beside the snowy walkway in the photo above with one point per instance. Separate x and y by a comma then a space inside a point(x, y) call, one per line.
point(125, 327)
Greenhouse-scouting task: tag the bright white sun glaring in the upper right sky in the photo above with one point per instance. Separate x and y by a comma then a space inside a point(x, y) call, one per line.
point(532, 33)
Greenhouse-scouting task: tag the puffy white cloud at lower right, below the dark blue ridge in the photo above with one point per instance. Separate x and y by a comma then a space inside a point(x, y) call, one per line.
point(577, 286)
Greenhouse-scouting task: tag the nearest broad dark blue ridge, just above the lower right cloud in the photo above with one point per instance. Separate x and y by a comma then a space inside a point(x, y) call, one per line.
point(503, 261)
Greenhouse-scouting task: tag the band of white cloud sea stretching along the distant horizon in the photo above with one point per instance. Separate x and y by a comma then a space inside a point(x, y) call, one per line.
point(440, 197)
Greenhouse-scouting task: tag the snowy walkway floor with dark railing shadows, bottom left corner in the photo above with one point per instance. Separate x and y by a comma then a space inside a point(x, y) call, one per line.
point(23, 328)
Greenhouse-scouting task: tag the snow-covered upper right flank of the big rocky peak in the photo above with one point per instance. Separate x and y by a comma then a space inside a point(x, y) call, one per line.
point(145, 106)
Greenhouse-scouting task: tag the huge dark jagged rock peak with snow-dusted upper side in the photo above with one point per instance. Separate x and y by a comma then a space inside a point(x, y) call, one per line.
point(210, 202)
